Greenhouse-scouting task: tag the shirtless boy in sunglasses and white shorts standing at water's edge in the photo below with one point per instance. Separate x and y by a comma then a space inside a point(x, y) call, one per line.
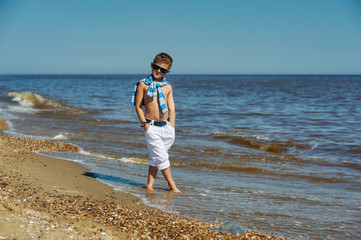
point(158, 119)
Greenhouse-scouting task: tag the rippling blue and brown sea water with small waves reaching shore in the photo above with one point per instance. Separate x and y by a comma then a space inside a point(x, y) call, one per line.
point(278, 154)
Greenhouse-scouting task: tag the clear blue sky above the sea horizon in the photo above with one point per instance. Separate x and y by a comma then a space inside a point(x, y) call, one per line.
point(202, 36)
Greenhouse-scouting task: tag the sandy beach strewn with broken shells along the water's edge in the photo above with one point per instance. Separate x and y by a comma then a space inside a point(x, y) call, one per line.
point(48, 198)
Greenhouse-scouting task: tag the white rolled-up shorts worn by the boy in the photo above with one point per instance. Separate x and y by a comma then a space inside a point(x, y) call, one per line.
point(159, 140)
